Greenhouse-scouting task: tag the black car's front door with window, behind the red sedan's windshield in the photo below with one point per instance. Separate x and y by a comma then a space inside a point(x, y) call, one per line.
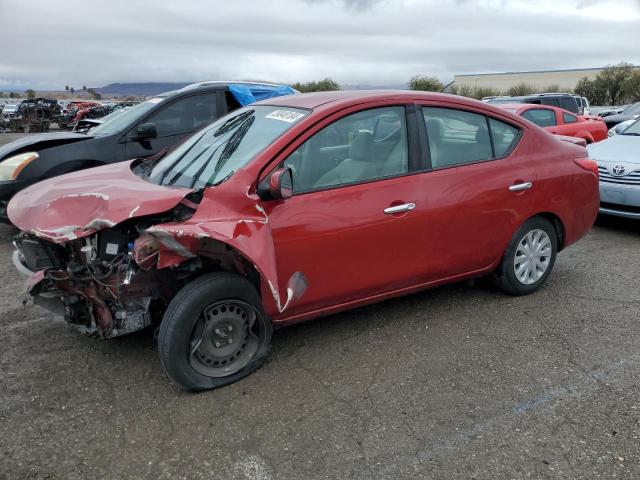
point(174, 121)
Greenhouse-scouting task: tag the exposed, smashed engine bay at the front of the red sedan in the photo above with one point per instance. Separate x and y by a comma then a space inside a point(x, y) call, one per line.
point(107, 283)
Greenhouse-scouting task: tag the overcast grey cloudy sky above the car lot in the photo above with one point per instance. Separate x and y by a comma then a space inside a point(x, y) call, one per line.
point(49, 43)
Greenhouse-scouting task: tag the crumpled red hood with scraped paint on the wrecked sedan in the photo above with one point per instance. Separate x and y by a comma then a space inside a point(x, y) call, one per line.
point(81, 203)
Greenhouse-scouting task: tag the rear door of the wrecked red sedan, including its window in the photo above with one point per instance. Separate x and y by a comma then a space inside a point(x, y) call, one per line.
point(478, 192)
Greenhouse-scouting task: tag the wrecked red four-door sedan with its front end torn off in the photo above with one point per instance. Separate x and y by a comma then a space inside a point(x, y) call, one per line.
point(295, 208)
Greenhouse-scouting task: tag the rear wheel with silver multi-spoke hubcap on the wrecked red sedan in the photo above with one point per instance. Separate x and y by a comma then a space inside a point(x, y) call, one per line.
point(529, 259)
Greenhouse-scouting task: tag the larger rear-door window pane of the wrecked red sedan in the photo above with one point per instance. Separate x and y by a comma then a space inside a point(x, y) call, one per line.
point(456, 137)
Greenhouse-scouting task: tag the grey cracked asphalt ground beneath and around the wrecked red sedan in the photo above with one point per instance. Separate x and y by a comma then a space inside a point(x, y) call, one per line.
point(456, 382)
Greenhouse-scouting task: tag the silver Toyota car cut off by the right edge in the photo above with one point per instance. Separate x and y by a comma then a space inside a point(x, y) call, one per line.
point(618, 160)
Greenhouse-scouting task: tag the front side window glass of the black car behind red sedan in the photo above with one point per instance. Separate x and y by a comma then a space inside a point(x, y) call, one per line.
point(185, 115)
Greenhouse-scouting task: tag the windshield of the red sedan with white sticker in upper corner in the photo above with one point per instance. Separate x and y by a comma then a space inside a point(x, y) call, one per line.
point(211, 155)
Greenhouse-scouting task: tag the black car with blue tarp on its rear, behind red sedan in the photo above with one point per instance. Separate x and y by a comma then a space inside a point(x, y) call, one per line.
point(141, 131)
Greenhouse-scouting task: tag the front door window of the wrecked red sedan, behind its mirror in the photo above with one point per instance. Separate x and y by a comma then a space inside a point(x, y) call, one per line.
point(360, 147)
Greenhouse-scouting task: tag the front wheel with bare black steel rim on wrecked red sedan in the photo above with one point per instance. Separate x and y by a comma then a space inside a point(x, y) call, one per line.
point(214, 332)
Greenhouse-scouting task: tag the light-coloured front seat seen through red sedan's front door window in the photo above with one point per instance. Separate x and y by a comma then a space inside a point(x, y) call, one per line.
point(360, 165)
